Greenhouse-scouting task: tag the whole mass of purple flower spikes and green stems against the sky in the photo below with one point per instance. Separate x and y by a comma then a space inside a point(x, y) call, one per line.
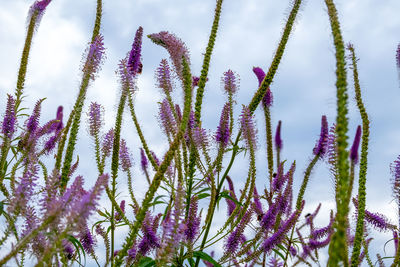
point(50, 219)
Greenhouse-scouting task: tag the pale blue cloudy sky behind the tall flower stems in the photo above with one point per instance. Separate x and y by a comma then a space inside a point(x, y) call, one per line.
point(248, 35)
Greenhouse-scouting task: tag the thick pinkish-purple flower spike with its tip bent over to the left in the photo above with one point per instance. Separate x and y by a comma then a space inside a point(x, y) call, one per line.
point(175, 46)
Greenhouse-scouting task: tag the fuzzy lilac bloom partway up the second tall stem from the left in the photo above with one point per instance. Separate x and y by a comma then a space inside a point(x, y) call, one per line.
point(95, 56)
